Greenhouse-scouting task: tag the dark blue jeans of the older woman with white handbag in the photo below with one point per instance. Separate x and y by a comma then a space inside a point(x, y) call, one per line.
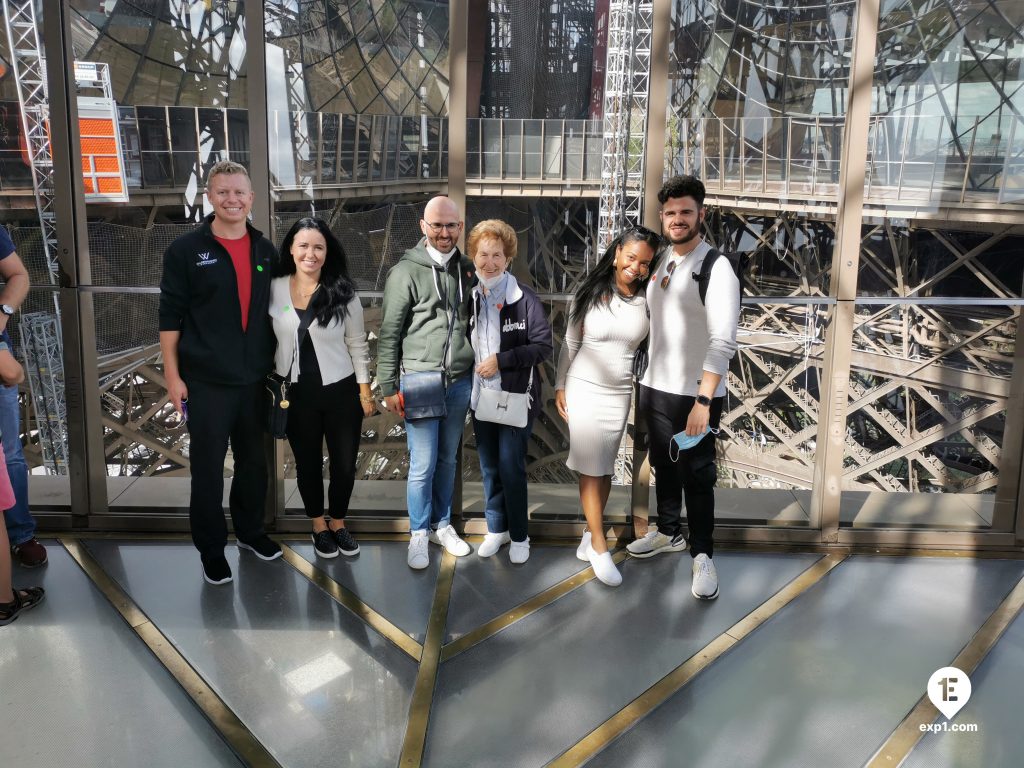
point(502, 452)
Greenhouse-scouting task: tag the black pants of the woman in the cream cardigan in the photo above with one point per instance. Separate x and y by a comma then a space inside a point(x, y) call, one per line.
point(332, 413)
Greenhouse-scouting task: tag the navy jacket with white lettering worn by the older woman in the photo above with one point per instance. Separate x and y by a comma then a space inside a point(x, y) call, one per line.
point(526, 340)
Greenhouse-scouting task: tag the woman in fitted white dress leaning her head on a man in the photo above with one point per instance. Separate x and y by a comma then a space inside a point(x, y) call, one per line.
point(594, 386)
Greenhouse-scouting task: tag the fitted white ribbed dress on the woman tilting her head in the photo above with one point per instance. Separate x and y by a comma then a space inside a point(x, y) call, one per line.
point(595, 369)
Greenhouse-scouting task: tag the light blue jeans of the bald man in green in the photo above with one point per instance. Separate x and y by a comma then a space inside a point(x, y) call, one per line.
point(434, 445)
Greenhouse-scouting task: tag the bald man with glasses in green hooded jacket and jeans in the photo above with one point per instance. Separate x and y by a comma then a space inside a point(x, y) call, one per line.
point(426, 291)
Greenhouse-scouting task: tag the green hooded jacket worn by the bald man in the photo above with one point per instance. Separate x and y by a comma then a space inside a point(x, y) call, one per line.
point(415, 319)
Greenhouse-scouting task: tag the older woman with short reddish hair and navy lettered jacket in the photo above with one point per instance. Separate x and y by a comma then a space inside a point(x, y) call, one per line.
point(511, 338)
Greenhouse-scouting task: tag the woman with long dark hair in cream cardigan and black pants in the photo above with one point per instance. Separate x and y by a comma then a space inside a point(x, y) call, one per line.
point(322, 350)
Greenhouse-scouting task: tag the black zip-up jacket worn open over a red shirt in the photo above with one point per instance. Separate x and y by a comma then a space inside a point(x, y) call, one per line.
point(199, 296)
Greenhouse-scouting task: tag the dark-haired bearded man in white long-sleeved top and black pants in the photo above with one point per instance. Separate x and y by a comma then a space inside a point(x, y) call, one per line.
point(682, 392)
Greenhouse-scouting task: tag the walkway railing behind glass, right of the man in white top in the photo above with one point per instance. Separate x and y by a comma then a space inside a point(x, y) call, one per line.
point(910, 158)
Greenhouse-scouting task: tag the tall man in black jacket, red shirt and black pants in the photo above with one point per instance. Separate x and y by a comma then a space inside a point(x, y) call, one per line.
point(218, 344)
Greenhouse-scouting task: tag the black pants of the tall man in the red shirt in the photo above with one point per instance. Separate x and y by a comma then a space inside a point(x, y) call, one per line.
point(219, 415)
